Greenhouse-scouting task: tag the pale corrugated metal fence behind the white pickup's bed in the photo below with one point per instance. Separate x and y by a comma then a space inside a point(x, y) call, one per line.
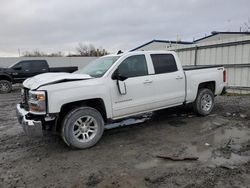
point(233, 54)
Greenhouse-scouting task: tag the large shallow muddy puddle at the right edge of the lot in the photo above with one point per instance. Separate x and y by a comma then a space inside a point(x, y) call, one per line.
point(232, 137)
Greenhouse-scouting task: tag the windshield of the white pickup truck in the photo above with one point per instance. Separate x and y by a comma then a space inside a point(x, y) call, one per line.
point(98, 67)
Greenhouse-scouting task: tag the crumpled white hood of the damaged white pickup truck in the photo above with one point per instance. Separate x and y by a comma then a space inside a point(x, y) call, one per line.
point(51, 78)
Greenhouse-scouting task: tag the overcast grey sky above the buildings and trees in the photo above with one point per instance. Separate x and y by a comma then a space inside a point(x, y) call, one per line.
point(60, 25)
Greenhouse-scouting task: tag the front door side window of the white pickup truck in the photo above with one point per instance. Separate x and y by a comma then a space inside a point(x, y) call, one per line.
point(134, 66)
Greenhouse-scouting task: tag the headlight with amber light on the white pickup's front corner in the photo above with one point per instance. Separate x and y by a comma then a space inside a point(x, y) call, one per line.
point(37, 102)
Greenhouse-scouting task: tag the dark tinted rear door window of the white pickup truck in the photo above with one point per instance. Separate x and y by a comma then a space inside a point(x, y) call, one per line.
point(163, 63)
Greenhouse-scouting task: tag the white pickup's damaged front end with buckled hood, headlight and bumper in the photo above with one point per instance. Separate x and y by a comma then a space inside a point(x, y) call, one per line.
point(33, 113)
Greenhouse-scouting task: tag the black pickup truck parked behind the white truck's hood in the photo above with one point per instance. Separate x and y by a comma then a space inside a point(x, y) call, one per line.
point(22, 70)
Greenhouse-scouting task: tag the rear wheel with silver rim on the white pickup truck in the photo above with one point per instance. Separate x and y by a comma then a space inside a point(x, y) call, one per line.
point(202, 107)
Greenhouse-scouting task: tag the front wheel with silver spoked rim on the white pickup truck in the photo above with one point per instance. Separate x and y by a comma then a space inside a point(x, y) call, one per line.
point(71, 124)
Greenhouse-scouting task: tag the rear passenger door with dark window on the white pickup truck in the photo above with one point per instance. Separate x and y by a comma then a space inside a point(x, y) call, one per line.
point(168, 81)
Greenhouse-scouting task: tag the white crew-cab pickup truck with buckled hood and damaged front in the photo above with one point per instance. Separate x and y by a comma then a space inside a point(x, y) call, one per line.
point(113, 87)
